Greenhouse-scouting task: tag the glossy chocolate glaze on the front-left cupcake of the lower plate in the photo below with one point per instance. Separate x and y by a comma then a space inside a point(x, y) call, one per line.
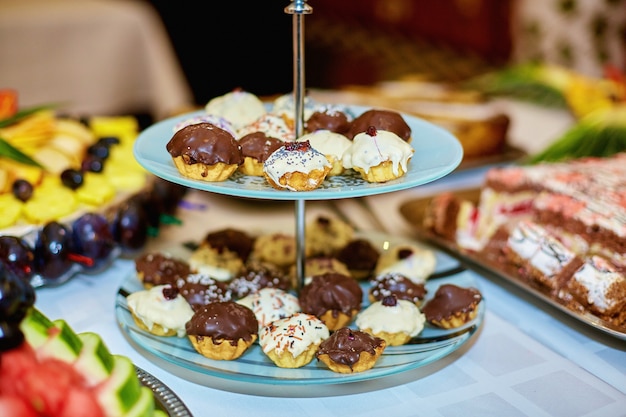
point(226, 320)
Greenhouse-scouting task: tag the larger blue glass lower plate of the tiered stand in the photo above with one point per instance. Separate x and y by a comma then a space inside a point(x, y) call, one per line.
point(254, 373)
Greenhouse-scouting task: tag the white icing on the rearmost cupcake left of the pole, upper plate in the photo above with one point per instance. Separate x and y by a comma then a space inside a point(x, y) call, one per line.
point(239, 107)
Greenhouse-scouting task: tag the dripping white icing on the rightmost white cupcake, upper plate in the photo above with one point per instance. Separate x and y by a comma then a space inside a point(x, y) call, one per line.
point(368, 151)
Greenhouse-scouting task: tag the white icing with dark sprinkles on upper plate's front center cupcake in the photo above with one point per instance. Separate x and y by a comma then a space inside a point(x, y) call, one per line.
point(283, 161)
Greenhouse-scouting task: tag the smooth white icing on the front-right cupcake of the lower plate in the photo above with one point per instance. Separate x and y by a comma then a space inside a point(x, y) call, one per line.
point(404, 317)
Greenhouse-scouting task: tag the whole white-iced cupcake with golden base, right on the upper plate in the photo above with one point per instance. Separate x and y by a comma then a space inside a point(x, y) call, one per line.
point(378, 155)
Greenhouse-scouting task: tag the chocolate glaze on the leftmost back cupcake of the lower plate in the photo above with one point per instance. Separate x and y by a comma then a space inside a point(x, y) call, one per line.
point(157, 268)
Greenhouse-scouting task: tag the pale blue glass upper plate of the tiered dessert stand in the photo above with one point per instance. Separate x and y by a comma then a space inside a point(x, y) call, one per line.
point(437, 153)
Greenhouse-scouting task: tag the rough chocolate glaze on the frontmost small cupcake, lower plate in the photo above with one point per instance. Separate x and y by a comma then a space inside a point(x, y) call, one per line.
point(345, 345)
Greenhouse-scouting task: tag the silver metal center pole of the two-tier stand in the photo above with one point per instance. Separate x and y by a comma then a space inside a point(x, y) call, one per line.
point(298, 9)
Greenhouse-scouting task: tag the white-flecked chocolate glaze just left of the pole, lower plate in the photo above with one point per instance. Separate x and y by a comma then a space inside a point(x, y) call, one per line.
point(257, 275)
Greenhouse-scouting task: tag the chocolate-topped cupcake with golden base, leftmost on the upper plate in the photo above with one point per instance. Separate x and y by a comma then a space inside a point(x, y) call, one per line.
point(205, 152)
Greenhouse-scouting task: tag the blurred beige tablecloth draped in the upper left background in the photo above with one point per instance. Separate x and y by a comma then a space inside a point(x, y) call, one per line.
point(95, 57)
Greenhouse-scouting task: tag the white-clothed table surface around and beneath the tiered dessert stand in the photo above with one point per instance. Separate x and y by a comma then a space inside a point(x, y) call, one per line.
point(527, 359)
